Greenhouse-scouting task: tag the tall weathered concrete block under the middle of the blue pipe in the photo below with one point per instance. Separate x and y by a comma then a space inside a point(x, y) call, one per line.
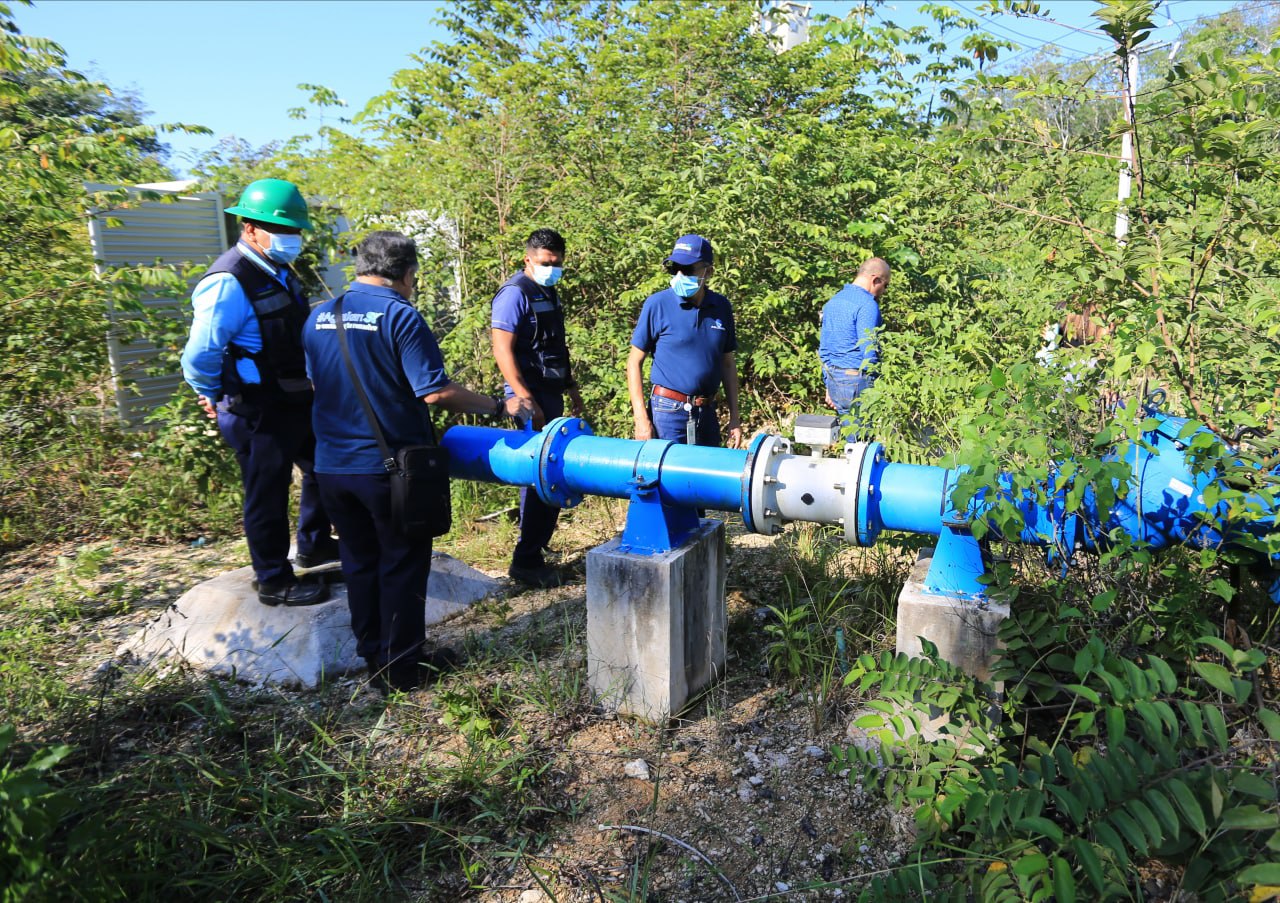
point(656, 624)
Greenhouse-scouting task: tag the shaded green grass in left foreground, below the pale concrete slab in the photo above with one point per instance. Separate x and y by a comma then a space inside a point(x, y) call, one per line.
point(200, 788)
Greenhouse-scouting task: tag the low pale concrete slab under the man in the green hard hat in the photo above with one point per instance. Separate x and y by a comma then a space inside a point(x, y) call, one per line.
point(221, 627)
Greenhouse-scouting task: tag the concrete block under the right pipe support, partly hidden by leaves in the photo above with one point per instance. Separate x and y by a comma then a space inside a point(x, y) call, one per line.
point(964, 631)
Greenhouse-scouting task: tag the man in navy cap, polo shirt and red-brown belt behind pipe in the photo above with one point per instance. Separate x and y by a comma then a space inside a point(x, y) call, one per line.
point(689, 331)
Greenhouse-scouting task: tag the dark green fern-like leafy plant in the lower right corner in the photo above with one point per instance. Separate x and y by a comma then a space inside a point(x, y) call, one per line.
point(1142, 767)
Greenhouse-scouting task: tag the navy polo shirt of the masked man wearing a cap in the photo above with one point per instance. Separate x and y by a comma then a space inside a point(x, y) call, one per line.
point(687, 343)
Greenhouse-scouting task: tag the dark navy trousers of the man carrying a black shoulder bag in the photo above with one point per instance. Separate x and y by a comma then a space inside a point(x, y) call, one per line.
point(386, 571)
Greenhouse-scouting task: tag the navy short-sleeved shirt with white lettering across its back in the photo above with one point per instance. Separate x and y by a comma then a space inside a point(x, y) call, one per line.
point(399, 363)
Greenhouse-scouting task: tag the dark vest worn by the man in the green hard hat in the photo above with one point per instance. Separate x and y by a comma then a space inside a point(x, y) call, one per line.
point(281, 314)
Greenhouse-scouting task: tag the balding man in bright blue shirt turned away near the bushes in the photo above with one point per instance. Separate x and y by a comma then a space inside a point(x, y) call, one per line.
point(851, 325)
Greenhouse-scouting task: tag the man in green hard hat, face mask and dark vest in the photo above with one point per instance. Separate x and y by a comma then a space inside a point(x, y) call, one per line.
point(245, 362)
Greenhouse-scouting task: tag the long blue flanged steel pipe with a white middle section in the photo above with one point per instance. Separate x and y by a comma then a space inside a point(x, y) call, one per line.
point(1165, 503)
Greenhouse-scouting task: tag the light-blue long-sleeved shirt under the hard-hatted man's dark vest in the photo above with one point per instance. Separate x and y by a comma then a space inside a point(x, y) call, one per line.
point(222, 316)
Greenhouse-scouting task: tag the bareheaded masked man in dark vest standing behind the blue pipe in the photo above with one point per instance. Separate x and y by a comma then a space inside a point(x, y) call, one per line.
point(528, 336)
